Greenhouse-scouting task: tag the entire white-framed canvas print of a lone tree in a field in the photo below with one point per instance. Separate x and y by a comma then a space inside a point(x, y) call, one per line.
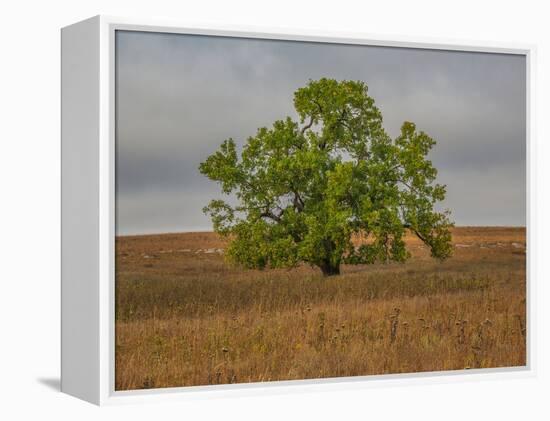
point(243, 210)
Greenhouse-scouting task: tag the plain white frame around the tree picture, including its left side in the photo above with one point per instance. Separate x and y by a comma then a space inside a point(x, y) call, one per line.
point(88, 213)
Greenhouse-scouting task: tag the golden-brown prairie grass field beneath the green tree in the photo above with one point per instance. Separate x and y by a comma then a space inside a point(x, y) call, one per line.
point(185, 316)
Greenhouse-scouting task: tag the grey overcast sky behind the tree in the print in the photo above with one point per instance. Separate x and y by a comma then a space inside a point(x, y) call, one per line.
point(179, 96)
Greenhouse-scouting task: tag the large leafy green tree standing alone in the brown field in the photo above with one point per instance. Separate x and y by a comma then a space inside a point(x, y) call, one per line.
point(306, 189)
